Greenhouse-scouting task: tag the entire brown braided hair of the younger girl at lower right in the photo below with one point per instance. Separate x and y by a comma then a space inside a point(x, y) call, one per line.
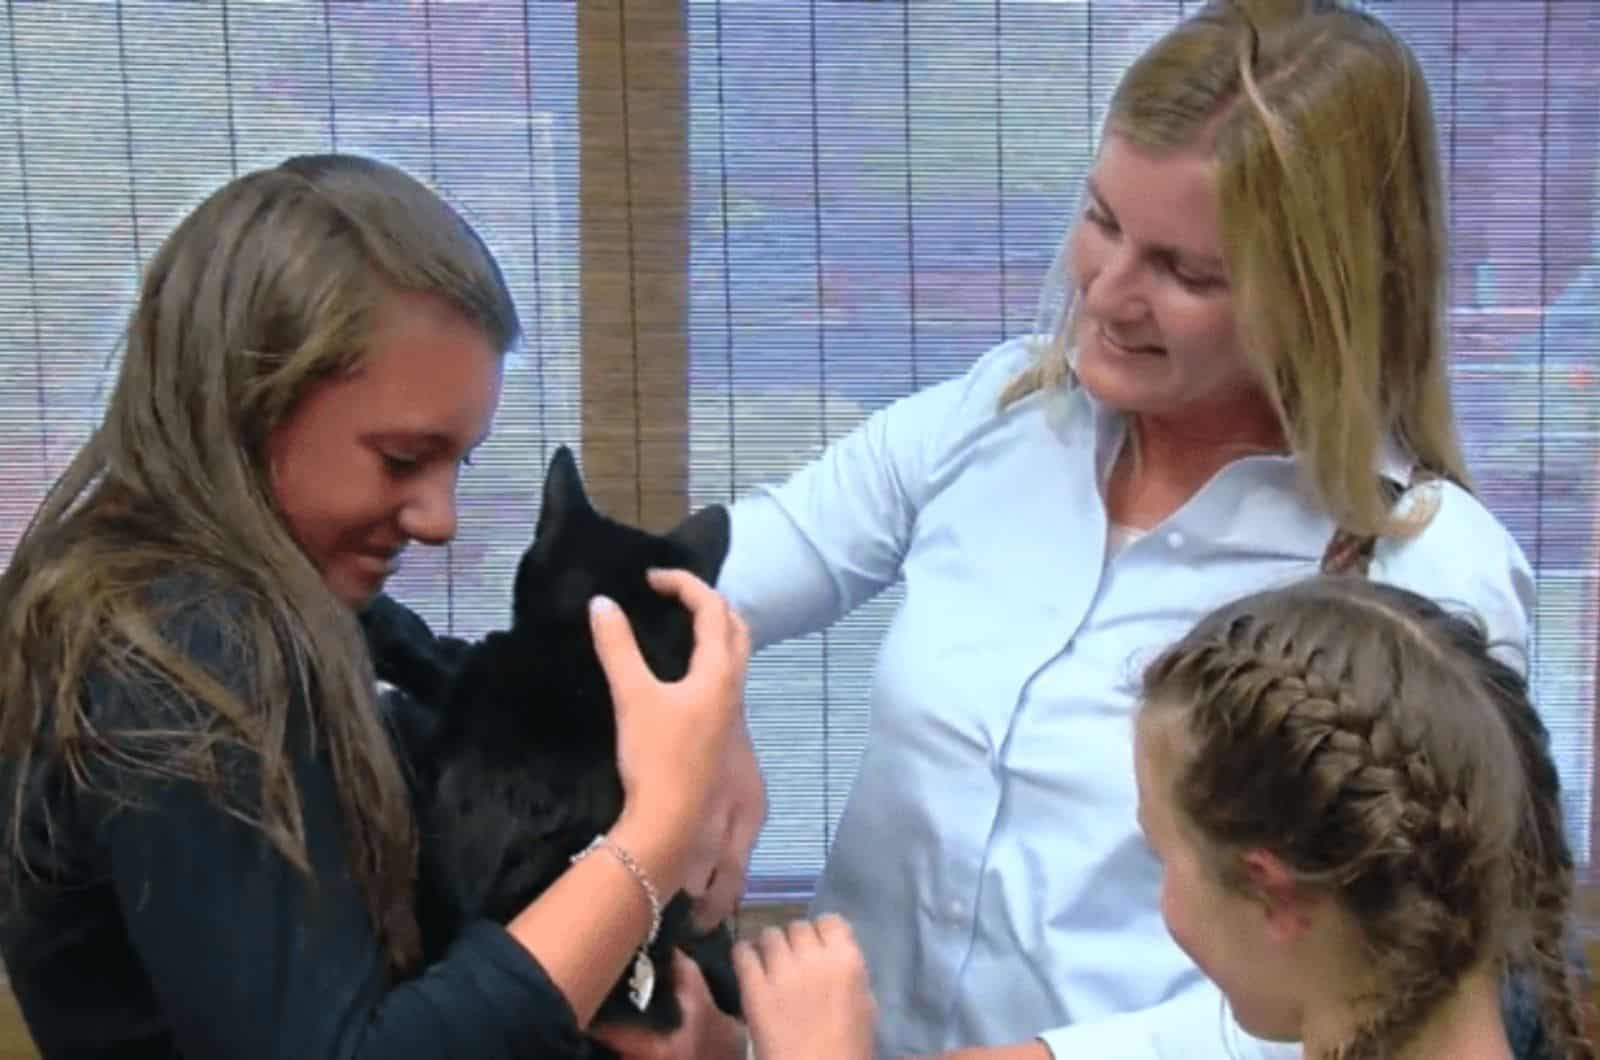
point(1388, 758)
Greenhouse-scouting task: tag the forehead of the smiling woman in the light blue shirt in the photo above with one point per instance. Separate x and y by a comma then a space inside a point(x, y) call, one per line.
point(1161, 198)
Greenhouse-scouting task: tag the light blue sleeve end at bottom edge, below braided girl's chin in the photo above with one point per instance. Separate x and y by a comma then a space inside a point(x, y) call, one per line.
point(1193, 1026)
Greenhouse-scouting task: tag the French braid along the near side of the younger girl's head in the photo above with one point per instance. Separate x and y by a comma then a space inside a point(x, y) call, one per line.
point(1386, 833)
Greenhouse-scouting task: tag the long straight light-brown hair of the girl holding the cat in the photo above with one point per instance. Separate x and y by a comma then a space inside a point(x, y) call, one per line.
point(265, 289)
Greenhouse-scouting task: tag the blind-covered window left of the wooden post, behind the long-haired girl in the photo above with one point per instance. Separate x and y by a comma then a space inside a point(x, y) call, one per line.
point(119, 119)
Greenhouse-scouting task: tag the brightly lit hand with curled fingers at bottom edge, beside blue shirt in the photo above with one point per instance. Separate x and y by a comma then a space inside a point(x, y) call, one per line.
point(806, 992)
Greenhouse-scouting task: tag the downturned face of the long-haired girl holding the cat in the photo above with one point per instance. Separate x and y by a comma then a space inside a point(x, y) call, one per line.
point(367, 462)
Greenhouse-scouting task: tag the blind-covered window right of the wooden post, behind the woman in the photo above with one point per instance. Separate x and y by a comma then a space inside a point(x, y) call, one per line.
point(879, 188)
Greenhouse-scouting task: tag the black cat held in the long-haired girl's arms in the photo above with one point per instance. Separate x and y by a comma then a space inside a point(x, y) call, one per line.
point(516, 765)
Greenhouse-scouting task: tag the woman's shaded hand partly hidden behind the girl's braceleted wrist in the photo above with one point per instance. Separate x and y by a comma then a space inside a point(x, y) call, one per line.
point(718, 872)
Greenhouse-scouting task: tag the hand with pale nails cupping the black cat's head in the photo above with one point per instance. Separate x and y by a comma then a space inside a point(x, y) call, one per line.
point(673, 737)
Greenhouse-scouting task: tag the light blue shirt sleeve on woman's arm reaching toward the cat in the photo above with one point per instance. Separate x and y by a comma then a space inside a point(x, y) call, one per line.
point(809, 552)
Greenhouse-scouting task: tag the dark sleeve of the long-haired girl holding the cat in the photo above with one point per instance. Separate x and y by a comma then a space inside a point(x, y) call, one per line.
point(250, 960)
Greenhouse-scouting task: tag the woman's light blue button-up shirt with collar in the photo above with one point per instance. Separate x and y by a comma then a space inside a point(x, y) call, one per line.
point(988, 857)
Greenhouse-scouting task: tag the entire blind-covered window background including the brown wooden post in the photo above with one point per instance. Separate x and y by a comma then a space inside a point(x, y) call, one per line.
point(871, 195)
